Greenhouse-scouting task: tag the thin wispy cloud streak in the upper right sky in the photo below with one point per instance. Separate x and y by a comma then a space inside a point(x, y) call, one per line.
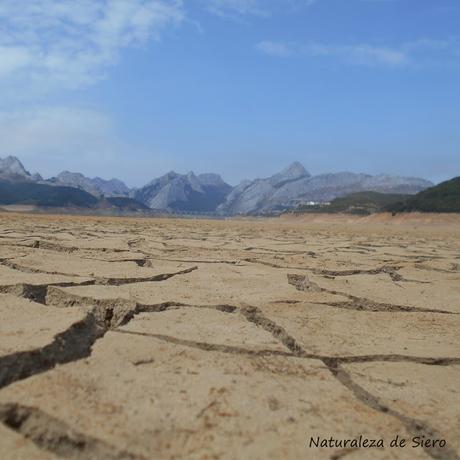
point(426, 51)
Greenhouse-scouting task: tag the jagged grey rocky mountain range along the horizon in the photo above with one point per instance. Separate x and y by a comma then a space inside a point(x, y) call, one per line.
point(175, 192)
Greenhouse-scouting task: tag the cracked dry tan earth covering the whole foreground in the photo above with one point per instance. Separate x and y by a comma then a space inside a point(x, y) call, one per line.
point(181, 339)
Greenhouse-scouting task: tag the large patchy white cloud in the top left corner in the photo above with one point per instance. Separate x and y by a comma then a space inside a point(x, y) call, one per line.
point(70, 43)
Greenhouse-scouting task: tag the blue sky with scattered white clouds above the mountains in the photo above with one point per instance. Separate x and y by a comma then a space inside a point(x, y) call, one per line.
point(135, 88)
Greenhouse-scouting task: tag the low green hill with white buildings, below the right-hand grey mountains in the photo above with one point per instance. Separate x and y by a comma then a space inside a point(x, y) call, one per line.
point(363, 203)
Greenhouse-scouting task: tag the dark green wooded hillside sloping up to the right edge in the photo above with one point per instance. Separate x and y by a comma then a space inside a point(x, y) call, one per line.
point(444, 197)
